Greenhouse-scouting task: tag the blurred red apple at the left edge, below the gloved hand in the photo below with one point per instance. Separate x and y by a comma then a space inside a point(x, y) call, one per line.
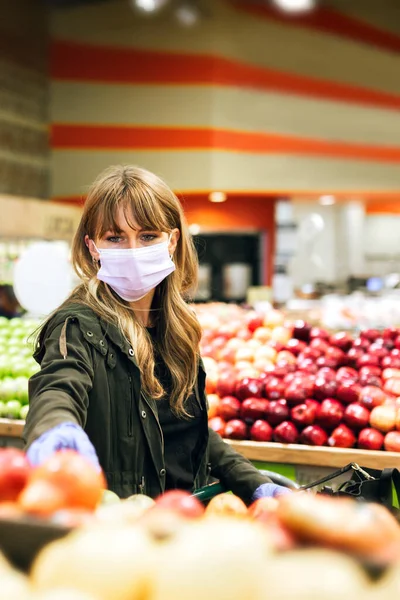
point(14, 472)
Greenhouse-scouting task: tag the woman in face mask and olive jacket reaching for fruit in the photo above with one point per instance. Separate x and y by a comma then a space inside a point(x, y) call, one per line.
point(121, 380)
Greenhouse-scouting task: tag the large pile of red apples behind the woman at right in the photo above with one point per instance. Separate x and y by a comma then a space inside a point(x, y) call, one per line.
point(270, 380)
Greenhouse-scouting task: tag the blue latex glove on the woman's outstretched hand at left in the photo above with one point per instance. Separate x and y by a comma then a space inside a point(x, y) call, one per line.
point(64, 436)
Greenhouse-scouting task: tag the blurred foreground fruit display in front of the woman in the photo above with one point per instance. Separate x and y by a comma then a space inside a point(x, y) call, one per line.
point(295, 547)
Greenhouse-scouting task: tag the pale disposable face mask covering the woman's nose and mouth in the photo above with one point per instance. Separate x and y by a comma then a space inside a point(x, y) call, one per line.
point(133, 272)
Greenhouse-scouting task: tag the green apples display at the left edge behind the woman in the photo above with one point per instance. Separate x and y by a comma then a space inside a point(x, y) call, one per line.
point(16, 366)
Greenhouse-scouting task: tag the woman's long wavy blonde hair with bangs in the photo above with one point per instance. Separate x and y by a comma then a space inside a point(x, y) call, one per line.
point(145, 197)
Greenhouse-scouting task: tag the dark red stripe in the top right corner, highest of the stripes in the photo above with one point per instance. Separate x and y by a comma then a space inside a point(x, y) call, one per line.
point(328, 20)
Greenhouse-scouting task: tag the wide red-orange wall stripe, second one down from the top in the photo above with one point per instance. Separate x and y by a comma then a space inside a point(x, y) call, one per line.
point(102, 64)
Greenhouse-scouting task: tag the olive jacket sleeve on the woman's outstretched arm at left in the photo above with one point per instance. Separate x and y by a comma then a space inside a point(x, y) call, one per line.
point(58, 393)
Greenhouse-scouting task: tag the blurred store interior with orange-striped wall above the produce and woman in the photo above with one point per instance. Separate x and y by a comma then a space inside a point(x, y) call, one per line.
point(291, 120)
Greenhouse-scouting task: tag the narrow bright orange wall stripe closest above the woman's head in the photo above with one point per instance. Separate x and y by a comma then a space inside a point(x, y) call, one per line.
point(101, 137)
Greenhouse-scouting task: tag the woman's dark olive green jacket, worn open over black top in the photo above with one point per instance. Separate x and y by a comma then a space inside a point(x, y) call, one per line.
point(89, 376)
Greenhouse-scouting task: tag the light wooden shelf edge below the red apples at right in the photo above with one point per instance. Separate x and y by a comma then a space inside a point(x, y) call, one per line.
point(297, 454)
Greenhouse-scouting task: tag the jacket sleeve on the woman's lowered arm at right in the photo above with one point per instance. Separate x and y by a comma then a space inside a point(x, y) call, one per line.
point(234, 471)
